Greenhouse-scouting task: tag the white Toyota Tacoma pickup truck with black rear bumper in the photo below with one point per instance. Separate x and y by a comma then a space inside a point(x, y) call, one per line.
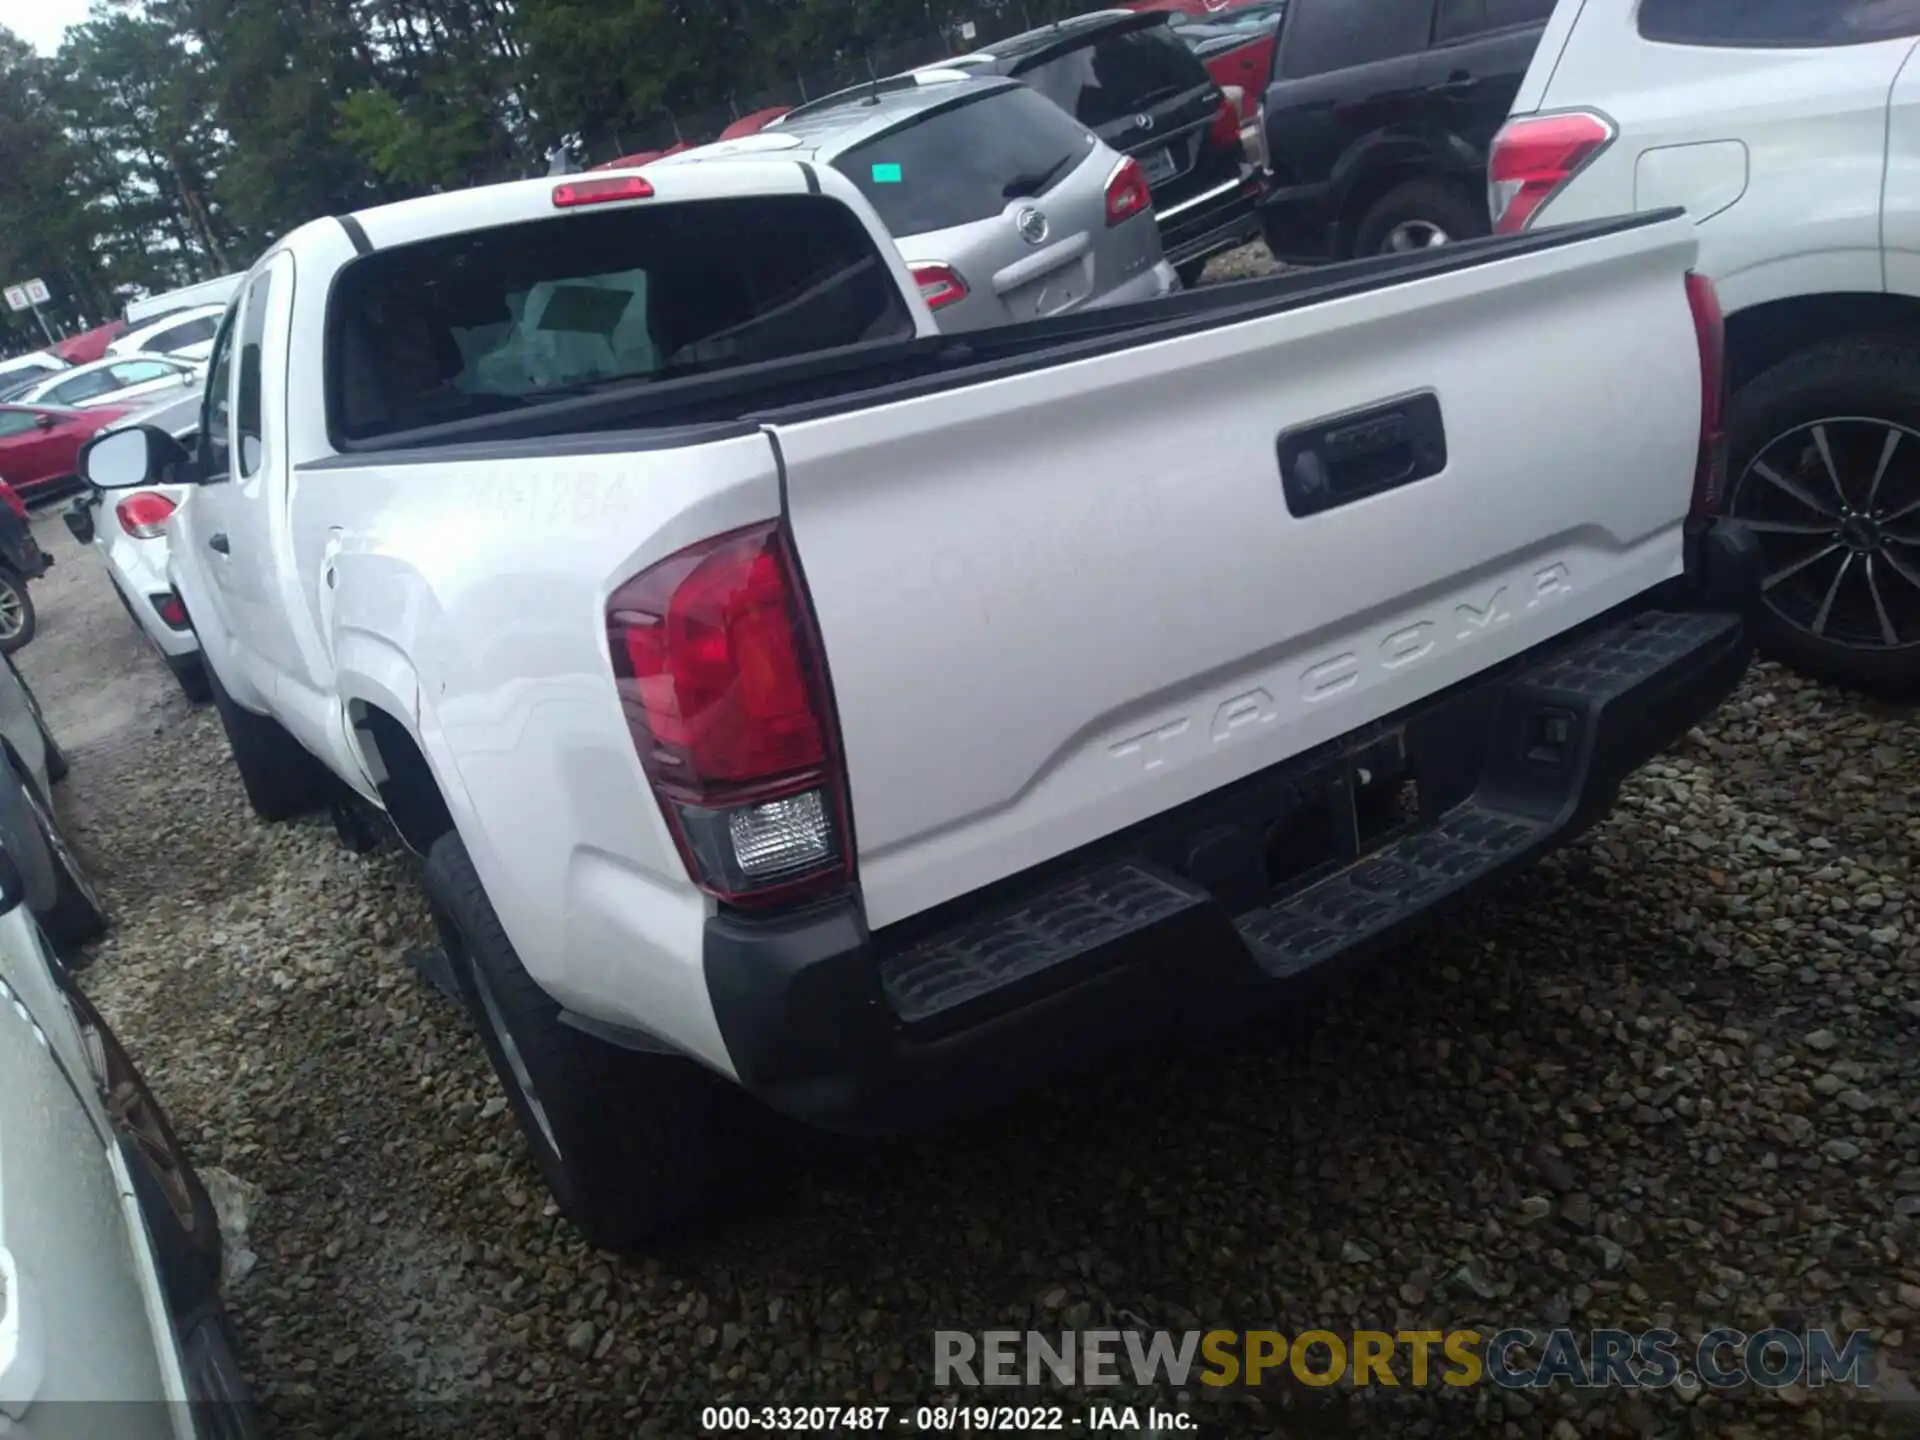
point(792, 702)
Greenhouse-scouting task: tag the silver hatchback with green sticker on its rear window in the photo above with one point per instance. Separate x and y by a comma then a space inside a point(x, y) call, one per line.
point(1003, 206)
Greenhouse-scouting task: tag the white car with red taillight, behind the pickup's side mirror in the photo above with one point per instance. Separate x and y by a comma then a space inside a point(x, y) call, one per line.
point(130, 533)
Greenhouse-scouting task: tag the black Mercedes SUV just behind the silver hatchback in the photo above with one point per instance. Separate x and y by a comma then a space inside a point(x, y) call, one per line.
point(1130, 80)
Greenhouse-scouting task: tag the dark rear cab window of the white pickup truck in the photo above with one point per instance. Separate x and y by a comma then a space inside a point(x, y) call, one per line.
point(491, 322)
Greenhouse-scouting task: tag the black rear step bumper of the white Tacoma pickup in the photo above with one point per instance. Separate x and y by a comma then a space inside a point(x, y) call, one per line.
point(1178, 926)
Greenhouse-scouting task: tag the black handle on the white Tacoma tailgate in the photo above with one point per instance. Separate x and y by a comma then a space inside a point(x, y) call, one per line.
point(1362, 454)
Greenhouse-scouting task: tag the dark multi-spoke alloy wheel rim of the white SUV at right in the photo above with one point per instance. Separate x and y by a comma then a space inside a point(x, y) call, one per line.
point(1836, 510)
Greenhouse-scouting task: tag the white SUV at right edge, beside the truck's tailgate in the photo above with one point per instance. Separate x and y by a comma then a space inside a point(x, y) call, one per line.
point(1792, 135)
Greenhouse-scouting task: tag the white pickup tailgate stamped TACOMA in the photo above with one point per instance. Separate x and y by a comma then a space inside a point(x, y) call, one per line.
point(1061, 602)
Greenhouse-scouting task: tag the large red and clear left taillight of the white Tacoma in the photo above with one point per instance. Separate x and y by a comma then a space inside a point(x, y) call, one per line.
point(725, 690)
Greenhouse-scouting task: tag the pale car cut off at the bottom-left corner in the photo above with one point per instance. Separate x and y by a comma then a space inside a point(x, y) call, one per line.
point(110, 1251)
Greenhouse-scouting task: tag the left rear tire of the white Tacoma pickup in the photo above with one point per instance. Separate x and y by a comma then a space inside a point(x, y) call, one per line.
point(633, 1145)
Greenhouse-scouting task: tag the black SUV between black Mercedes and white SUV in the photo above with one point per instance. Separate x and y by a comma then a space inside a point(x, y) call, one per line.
point(1380, 118)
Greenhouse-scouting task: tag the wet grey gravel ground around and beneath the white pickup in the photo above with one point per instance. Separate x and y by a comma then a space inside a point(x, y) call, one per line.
point(1668, 1078)
